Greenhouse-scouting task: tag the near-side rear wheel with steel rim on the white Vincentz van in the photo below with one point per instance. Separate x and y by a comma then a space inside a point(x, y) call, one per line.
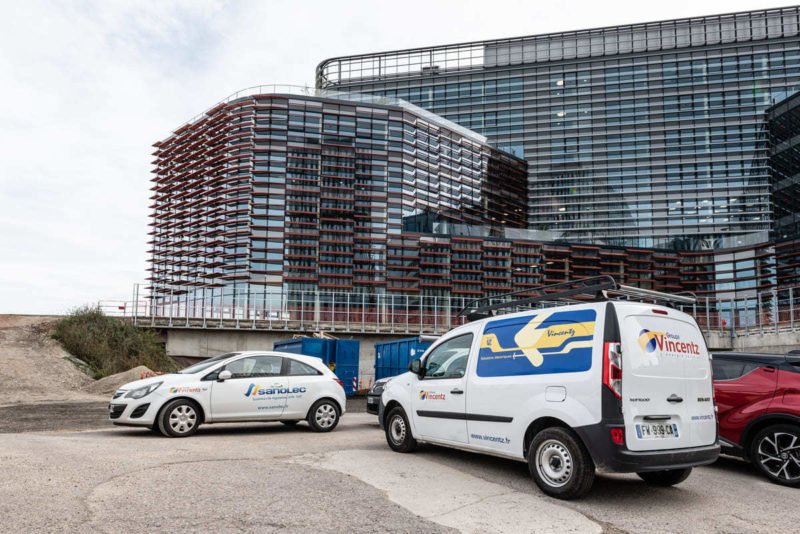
point(560, 464)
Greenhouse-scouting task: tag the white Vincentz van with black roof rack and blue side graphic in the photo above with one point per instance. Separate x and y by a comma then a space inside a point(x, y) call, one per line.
point(611, 384)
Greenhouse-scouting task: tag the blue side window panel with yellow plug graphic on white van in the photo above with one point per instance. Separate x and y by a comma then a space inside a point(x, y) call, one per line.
point(548, 342)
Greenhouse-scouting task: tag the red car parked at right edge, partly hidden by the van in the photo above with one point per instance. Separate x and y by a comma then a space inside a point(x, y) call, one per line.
point(758, 398)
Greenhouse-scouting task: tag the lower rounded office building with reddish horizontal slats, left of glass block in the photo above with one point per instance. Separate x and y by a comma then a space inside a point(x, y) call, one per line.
point(303, 189)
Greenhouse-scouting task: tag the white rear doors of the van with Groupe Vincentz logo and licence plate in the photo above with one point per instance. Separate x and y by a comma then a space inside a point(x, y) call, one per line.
point(667, 398)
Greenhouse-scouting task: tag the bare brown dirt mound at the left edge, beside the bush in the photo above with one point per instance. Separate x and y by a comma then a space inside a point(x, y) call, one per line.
point(34, 368)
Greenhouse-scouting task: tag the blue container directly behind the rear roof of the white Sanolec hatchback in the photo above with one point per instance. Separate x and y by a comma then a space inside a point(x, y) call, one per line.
point(341, 355)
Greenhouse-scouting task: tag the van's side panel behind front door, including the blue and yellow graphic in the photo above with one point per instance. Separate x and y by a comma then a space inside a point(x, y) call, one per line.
point(526, 366)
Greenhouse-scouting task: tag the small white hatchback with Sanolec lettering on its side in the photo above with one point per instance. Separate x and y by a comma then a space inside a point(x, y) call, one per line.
point(240, 386)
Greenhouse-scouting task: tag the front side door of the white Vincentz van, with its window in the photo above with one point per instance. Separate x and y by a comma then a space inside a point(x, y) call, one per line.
point(438, 399)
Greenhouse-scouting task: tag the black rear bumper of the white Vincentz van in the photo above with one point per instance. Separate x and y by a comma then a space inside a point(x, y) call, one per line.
point(608, 456)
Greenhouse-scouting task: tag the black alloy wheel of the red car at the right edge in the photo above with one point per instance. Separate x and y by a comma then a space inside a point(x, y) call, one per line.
point(775, 451)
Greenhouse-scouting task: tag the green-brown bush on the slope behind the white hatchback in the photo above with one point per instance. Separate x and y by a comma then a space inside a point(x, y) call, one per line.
point(111, 345)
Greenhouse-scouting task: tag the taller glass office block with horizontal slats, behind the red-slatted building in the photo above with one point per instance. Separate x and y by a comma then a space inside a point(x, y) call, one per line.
point(648, 135)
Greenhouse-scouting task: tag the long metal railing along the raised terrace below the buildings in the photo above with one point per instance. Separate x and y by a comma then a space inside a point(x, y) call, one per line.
point(273, 309)
